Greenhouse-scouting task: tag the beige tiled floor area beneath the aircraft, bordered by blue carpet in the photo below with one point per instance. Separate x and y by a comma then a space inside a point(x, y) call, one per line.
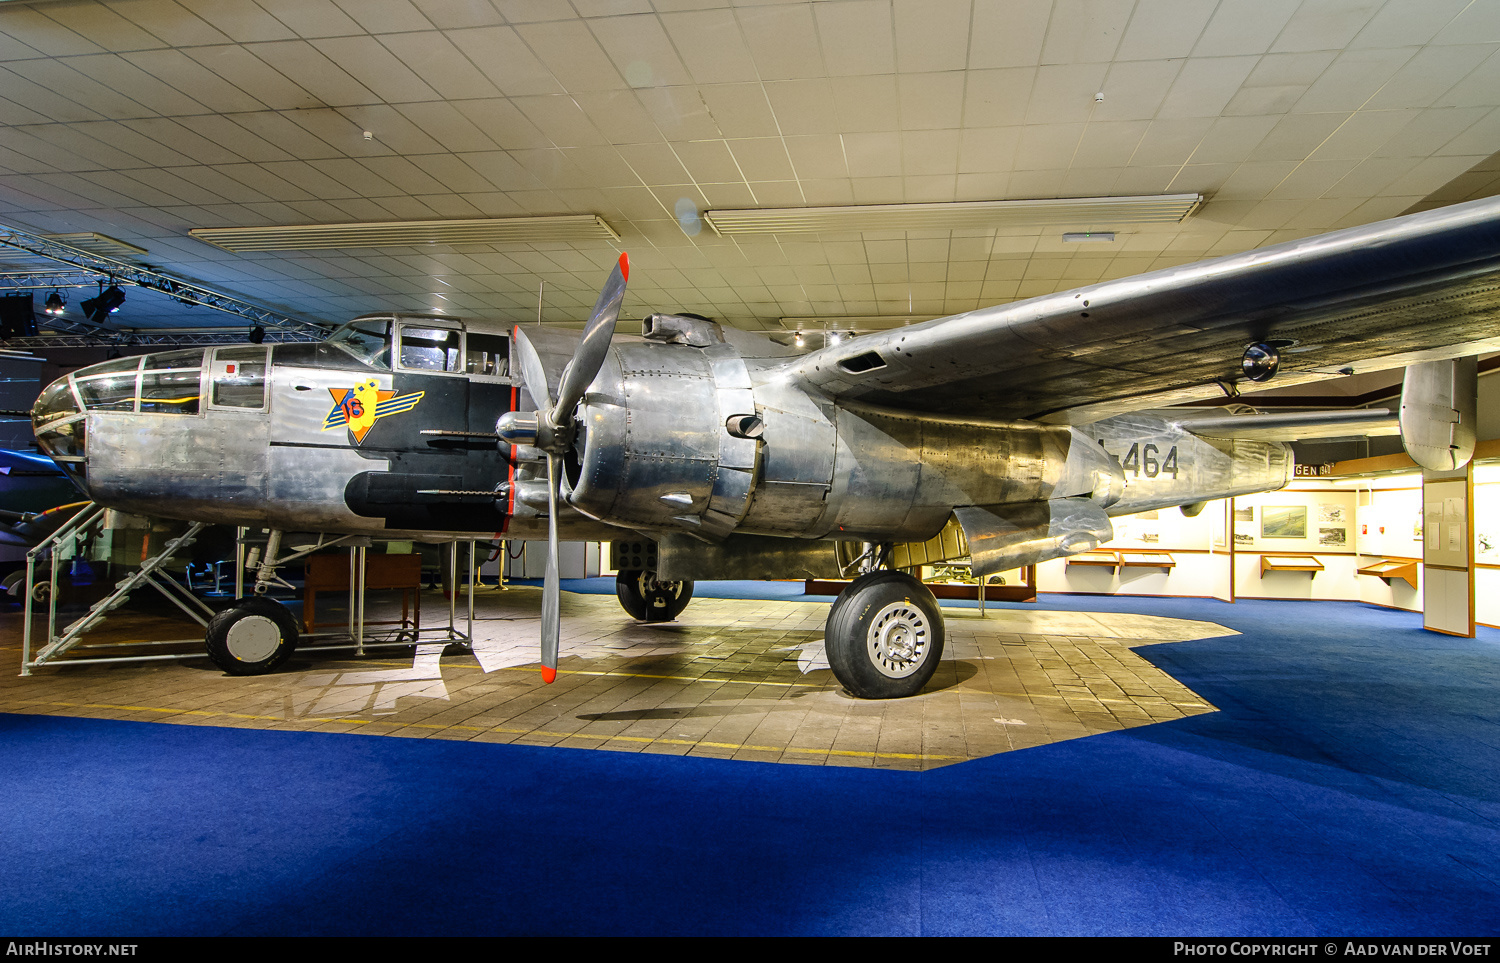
point(731, 679)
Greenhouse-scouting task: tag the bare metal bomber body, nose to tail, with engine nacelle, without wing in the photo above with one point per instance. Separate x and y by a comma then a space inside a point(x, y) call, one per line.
point(665, 448)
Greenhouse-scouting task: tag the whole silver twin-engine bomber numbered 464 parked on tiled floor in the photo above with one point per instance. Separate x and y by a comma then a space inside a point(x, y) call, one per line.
point(707, 452)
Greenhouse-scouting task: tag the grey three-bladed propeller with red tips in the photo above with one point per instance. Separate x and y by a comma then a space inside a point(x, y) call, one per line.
point(551, 428)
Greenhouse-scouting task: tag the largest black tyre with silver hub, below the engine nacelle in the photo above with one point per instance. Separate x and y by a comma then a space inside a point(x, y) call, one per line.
point(884, 637)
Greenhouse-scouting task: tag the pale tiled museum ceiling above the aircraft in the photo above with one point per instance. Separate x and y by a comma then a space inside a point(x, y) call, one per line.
point(145, 121)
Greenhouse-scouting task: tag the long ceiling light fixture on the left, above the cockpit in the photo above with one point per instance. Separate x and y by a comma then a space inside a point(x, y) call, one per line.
point(412, 233)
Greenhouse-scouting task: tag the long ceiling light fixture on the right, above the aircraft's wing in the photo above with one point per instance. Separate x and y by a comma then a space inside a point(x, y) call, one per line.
point(968, 215)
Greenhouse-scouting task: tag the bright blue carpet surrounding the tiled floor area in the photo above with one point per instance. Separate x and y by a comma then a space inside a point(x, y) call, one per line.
point(1348, 787)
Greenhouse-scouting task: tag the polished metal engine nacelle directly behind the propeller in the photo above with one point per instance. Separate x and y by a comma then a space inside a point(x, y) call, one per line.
point(679, 437)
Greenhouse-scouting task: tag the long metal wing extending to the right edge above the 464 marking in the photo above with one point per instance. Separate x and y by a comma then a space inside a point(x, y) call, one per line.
point(1385, 295)
